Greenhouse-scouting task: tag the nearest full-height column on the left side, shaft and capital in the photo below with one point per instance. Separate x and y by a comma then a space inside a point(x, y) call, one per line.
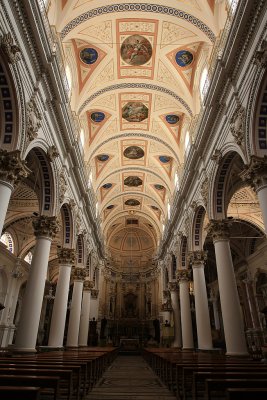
point(45, 229)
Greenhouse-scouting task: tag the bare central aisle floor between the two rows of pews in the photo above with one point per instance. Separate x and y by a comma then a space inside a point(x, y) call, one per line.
point(129, 378)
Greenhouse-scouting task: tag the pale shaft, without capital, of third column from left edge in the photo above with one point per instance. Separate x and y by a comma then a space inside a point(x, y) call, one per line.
point(56, 334)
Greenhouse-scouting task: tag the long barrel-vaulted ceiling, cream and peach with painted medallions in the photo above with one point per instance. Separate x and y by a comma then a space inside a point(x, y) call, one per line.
point(135, 73)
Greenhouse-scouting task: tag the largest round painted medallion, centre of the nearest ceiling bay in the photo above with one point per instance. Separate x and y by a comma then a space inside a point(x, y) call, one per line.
point(136, 50)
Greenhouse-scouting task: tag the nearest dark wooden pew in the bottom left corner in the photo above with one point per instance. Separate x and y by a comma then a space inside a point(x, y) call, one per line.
point(20, 392)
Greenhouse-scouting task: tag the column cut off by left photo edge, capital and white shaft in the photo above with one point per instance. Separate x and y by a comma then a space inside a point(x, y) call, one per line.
point(12, 169)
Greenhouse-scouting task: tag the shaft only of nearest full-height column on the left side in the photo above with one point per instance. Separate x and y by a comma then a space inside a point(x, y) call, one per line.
point(33, 297)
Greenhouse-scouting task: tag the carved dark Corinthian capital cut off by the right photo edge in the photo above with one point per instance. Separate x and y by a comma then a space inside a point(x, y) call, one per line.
point(255, 173)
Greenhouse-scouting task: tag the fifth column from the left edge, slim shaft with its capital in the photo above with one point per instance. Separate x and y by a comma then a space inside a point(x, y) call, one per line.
point(85, 313)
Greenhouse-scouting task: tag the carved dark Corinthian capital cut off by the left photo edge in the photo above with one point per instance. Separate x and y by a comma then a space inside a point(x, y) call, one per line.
point(12, 168)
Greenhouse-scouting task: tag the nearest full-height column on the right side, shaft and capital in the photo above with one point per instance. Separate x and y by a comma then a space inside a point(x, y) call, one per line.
point(230, 305)
